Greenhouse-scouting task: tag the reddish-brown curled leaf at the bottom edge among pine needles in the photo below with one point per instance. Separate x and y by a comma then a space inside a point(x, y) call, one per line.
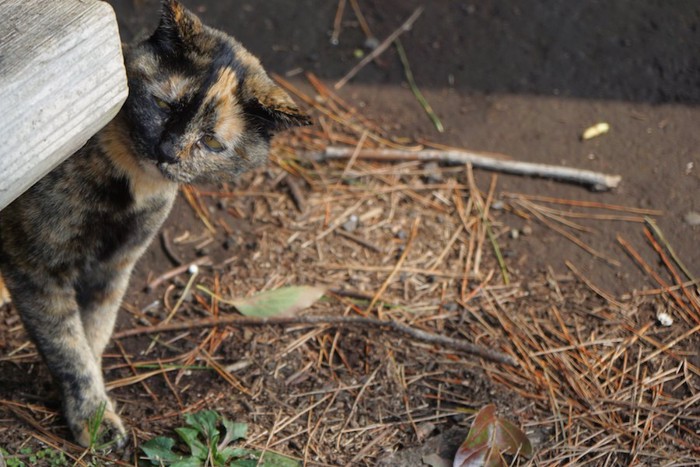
point(489, 437)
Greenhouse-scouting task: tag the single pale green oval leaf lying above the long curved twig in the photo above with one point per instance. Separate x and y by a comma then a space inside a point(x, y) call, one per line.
point(280, 302)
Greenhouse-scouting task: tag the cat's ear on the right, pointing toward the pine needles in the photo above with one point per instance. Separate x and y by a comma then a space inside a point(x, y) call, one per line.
point(272, 106)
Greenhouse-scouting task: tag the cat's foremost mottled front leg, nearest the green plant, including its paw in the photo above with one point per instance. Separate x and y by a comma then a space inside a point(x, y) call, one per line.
point(53, 321)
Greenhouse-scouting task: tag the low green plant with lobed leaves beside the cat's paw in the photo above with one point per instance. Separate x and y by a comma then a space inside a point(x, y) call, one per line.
point(207, 437)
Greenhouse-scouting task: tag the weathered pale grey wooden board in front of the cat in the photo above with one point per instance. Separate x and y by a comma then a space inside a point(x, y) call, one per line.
point(62, 78)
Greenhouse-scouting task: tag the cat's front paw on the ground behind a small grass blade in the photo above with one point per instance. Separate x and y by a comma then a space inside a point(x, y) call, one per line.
point(100, 430)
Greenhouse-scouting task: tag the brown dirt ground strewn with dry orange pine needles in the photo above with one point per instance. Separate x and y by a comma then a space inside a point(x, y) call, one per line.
point(523, 79)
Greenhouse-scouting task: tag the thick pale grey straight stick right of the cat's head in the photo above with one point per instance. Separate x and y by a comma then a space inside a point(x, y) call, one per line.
point(595, 180)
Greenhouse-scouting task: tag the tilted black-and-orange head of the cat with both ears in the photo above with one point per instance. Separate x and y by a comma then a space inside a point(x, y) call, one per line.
point(200, 106)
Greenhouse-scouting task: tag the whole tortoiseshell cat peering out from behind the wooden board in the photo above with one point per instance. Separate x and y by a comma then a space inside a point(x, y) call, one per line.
point(200, 108)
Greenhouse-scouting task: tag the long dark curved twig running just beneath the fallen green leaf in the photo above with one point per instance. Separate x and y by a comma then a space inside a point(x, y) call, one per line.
point(235, 320)
